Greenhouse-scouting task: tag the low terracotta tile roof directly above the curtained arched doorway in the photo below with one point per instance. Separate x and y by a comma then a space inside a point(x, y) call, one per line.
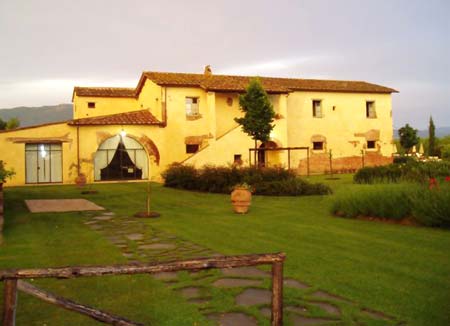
point(142, 117)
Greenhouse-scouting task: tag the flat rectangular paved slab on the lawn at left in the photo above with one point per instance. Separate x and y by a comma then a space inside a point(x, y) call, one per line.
point(61, 205)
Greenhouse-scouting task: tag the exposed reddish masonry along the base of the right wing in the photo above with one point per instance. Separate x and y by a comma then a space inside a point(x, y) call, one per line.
point(320, 163)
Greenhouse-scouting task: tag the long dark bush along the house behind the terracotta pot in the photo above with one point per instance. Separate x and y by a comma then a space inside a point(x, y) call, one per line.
point(267, 181)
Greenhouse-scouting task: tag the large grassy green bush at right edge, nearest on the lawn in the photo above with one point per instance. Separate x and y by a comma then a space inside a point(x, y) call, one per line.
point(429, 207)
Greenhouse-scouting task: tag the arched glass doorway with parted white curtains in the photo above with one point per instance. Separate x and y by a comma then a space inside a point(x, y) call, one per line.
point(120, 158)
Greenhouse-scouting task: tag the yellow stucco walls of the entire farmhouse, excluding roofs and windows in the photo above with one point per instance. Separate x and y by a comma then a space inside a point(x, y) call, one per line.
point(344, 125)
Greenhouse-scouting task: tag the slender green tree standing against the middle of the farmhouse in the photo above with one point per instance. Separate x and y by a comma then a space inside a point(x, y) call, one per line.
point(259, 113)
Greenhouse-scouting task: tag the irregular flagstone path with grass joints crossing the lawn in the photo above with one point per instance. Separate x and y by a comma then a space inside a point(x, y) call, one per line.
point(246, 290)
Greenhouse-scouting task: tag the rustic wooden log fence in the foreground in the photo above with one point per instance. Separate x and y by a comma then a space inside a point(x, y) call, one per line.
point(13, 281)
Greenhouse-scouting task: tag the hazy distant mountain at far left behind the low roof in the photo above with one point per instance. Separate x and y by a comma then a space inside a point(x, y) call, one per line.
point(30, 116)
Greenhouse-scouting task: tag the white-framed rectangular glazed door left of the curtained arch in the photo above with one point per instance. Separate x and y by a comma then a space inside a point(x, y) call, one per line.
point(43, 163)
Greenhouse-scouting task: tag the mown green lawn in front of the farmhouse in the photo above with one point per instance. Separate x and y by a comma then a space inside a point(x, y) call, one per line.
point(402, 271)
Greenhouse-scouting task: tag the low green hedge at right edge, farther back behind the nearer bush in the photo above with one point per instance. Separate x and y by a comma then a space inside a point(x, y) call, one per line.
point(410, 172)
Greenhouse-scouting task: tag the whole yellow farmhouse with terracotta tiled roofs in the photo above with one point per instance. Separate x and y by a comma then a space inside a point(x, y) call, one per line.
point(135, 133)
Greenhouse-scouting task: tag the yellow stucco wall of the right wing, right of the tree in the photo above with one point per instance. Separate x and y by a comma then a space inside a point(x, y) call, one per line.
point(344, 116)
